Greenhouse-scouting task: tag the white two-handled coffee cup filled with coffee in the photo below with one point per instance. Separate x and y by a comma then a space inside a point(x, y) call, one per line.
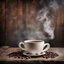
point(34, 46)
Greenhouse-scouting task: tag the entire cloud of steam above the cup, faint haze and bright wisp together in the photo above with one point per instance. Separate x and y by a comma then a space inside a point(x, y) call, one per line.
point(42, 18)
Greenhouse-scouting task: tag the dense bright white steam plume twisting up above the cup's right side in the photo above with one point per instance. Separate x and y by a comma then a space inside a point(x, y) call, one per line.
point(46, 22)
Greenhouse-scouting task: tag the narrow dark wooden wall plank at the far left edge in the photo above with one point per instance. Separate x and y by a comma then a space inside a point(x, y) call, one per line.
point(2, 22)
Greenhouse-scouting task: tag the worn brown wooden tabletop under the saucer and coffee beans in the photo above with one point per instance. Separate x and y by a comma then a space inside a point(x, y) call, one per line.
point(7, 50)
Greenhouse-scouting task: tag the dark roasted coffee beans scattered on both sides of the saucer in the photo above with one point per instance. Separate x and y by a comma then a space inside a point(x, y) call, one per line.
point(19, 54)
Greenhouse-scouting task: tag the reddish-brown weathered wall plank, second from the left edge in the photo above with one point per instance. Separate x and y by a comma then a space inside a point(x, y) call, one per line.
point(11, 20)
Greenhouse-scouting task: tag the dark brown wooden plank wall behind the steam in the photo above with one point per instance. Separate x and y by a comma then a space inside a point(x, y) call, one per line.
point(16, 15)
